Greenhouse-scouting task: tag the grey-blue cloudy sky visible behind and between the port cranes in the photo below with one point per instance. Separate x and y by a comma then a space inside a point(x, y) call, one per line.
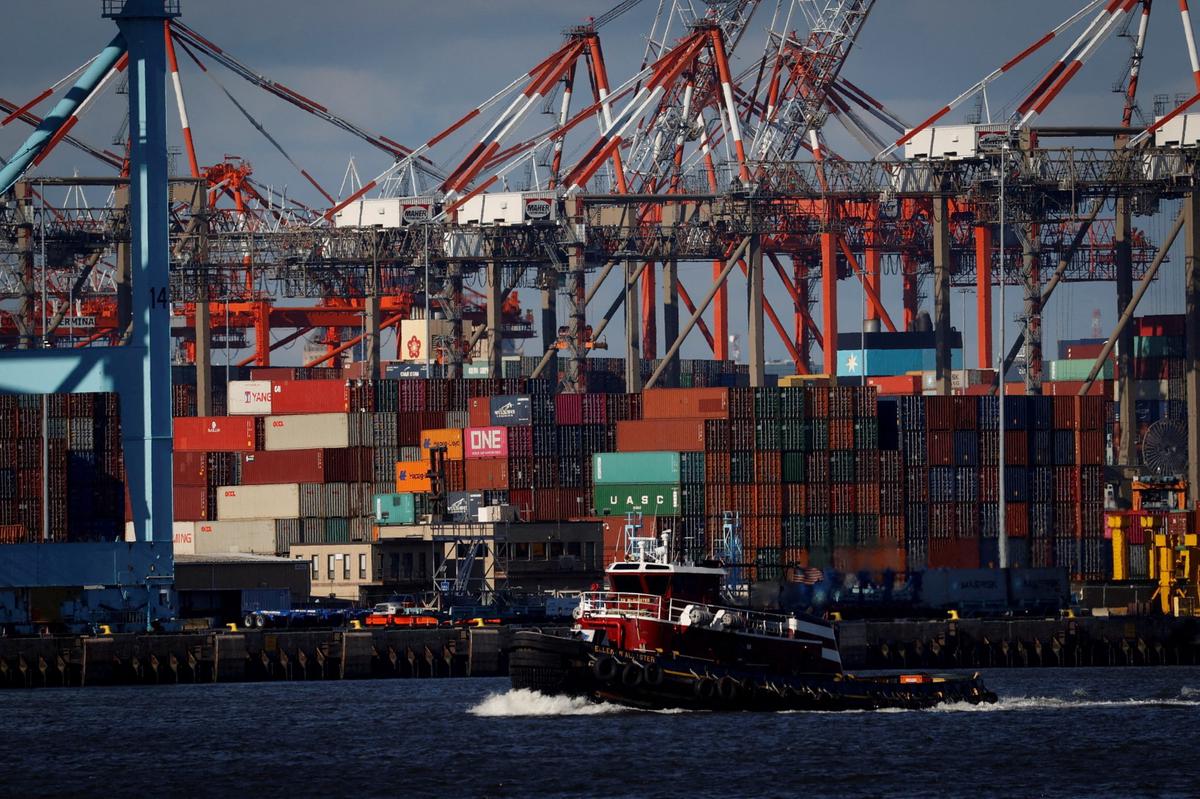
point(409, 70)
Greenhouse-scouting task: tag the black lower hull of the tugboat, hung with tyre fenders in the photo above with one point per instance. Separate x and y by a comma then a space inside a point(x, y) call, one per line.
point(573, 666)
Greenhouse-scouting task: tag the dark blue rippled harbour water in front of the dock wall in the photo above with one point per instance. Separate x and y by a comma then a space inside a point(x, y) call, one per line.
point(1054, 734)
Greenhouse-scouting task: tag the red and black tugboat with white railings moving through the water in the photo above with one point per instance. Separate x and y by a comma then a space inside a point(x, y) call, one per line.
point(664, 636)
